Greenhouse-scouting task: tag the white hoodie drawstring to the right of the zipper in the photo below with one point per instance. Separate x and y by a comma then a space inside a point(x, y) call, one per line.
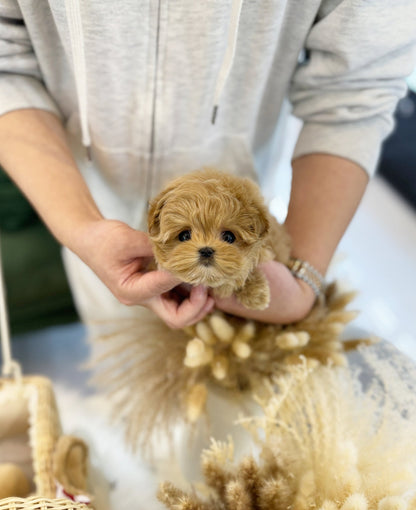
point(229, 54)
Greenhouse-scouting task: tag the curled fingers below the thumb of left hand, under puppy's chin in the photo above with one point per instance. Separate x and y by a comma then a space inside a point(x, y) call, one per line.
point(188, 312)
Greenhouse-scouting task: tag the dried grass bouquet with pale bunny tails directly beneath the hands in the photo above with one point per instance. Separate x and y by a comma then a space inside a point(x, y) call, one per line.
point(158, 377)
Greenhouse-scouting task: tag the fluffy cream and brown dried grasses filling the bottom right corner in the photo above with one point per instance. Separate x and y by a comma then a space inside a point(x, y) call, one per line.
point(330, 438)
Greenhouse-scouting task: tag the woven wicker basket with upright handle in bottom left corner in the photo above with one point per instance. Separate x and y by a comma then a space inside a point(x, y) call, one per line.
point(37, 460)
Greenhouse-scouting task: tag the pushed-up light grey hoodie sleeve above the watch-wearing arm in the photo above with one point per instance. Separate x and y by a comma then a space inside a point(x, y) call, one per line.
point(357, 57)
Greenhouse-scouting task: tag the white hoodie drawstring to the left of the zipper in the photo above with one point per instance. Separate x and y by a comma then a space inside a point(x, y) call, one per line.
point(76, 35)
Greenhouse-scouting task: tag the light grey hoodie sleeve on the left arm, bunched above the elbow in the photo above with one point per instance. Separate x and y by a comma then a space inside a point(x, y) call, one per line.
point(21, 84)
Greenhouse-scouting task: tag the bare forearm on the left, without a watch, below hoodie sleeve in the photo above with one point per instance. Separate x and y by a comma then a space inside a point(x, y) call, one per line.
point(35, 153)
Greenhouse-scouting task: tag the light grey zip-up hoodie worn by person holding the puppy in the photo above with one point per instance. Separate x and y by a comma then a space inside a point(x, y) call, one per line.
point(137, 82)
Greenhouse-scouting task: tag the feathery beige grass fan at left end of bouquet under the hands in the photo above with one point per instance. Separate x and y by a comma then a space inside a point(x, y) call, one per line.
point(142, 373)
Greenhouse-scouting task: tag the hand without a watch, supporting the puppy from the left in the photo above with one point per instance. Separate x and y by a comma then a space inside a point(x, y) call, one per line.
point(120, 256)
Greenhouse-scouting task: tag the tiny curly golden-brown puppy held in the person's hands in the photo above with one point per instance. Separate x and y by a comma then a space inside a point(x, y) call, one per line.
point(213, 228)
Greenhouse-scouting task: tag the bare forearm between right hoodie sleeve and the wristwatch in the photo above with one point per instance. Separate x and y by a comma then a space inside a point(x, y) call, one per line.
point(326, 191)
